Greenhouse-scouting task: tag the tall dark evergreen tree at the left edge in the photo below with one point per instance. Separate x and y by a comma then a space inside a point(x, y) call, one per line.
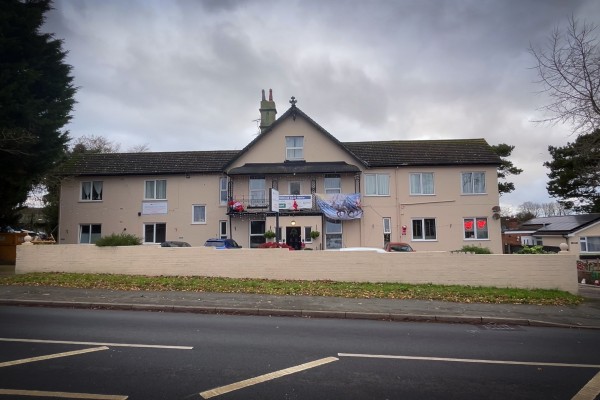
point(36, 100)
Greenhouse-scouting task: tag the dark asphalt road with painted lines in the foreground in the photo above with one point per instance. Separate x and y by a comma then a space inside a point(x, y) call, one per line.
point(98, 354)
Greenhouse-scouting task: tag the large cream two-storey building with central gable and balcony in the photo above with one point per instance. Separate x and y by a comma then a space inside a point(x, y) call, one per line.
point(434, 194)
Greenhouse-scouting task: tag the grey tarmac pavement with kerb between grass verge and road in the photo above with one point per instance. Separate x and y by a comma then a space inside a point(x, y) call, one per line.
point(585, 315)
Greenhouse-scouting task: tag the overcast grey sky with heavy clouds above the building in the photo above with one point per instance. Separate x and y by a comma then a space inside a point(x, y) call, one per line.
point(188, 75)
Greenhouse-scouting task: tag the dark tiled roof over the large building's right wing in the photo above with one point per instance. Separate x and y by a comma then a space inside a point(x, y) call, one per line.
point(396, 153)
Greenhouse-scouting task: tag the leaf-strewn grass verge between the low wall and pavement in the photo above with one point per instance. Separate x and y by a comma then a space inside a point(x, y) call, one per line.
point(461, 294)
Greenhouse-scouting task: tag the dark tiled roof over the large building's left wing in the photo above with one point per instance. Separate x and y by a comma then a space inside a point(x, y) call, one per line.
point(150, 163)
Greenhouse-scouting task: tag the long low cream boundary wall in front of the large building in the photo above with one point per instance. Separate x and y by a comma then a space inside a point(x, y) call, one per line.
point(521, 271)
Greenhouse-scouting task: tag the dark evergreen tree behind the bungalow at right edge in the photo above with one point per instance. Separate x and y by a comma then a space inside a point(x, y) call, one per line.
point(575, 173)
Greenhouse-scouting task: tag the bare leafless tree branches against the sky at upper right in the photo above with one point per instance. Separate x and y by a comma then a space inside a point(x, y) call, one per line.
point(569, 70)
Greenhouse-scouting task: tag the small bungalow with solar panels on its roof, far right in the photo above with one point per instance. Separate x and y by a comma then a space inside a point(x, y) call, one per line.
point(580, 232)
